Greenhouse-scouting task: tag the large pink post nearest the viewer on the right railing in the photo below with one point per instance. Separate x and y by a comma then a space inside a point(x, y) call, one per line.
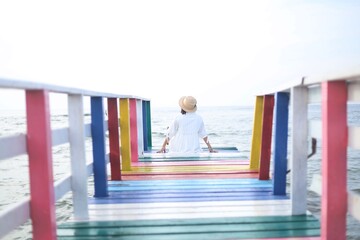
point(334, 162)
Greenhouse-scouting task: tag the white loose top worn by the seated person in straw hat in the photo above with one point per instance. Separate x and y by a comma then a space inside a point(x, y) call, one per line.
point(185, 133)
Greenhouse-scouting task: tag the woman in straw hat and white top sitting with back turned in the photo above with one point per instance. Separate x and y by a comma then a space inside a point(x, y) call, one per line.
point(186, 129)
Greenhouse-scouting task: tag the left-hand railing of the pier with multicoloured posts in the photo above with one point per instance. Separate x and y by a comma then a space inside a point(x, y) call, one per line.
point(44, 226)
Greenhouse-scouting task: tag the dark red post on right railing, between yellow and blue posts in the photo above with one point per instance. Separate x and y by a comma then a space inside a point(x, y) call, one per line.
point(265, 154)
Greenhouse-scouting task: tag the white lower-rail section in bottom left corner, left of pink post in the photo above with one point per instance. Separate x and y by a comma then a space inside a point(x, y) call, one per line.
point(14, 215)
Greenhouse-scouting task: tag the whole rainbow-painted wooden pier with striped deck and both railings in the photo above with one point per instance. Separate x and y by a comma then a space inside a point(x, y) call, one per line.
point(147, 195)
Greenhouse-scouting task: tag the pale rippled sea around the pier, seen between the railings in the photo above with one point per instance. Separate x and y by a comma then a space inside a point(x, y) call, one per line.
point(227, 126)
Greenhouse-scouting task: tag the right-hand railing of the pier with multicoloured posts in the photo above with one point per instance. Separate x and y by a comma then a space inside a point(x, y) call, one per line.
point(332, 92)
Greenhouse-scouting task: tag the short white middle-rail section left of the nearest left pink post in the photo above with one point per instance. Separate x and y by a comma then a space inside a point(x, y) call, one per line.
point(12, 146)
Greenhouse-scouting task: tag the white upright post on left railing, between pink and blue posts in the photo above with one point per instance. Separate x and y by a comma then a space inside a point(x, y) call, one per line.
point(78, 156)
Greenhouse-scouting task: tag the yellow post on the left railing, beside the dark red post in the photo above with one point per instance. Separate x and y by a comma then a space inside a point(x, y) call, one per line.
point(125, 134)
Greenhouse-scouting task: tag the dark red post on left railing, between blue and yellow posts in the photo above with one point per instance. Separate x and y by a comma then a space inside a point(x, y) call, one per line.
point(114, 142)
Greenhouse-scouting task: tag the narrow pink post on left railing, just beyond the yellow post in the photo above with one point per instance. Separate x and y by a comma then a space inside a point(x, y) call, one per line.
point(133, 131)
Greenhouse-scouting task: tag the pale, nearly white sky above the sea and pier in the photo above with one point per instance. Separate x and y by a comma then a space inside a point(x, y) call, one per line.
point(221, 52)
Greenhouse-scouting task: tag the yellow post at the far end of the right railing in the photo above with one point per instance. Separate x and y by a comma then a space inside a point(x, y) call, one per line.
point(256, 134)
